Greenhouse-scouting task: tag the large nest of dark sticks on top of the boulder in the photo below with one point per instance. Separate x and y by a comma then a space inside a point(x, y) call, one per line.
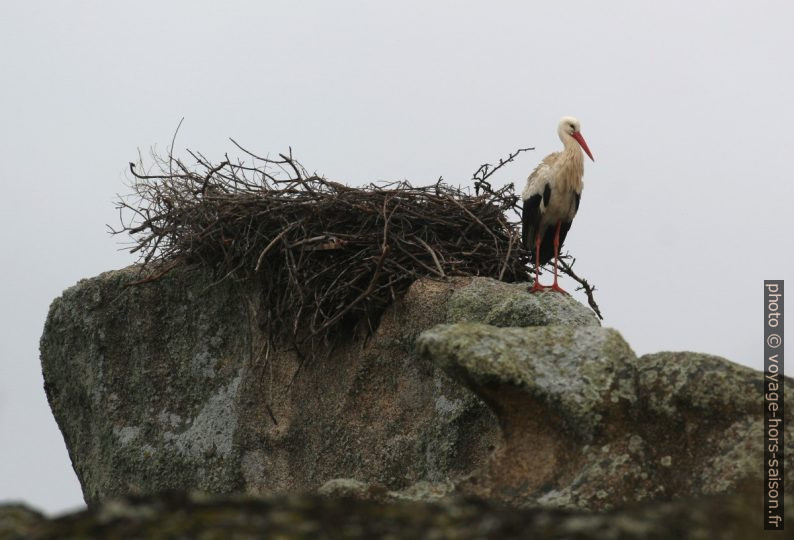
point(328, 256)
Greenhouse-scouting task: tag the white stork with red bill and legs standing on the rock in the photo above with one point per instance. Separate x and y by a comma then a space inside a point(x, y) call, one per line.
point(551, 199)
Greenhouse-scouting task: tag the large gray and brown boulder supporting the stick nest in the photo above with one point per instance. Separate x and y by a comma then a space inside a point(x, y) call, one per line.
point(171, 385)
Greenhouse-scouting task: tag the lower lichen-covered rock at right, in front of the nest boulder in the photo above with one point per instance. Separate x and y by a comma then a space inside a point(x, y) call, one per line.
point(587, 425)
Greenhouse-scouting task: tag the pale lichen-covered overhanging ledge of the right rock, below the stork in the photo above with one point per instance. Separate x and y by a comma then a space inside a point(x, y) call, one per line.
point(580, 373)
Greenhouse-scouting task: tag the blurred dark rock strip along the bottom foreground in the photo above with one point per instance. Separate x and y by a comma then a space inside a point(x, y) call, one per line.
point(727, 517)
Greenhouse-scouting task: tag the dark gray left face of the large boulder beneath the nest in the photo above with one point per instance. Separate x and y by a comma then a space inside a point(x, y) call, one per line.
point(144, 380)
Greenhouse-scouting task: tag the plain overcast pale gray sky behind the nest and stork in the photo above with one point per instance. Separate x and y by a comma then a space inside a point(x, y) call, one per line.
point(685, 105)
